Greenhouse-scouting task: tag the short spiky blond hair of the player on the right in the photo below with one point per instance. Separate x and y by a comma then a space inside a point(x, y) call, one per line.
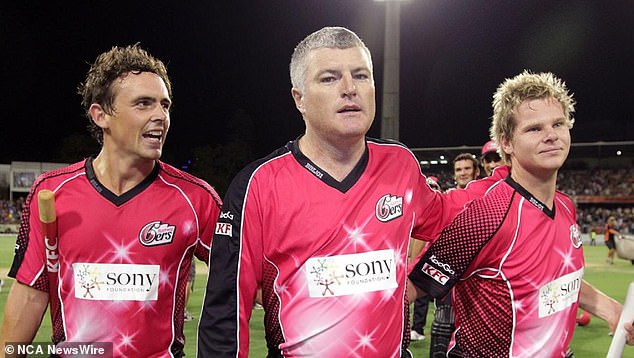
point(526, 86)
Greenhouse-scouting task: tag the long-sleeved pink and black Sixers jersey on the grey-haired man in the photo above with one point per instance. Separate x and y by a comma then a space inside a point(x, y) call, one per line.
point(331, 257)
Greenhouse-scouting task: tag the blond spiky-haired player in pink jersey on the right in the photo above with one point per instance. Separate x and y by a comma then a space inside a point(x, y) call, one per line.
point(487, 256)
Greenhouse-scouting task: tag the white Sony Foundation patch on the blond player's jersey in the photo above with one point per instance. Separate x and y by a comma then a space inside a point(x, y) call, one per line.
point(559, 294)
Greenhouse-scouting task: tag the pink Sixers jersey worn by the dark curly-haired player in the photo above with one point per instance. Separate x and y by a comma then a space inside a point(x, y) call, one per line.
point(123, 260)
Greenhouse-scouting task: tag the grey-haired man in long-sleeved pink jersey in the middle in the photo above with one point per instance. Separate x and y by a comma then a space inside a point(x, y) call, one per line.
point(322, 225)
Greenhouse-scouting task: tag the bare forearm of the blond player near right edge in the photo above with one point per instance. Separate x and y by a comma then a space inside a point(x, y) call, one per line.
point(599, 304)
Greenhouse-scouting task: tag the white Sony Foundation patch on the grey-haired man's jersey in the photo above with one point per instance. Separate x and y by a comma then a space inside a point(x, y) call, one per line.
point(352, 274)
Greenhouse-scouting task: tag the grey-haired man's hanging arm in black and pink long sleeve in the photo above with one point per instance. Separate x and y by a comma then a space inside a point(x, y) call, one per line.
point(223, 330)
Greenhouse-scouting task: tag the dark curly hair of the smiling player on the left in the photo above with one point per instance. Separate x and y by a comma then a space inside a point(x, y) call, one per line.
point(109, 66)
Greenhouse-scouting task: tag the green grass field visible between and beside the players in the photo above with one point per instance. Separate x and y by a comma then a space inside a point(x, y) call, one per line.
point(591, 341)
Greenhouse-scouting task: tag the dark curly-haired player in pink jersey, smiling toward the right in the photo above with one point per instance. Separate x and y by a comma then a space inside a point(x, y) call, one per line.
point(128, 224)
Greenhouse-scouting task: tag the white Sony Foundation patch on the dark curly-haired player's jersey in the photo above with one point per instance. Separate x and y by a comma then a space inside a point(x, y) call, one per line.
point(116, 282)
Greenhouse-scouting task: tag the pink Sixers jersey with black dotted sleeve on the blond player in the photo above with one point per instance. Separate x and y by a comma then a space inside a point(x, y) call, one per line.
point(516, 269)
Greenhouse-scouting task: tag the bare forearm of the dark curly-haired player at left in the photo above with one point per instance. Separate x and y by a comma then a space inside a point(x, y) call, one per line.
point(23, 313)
